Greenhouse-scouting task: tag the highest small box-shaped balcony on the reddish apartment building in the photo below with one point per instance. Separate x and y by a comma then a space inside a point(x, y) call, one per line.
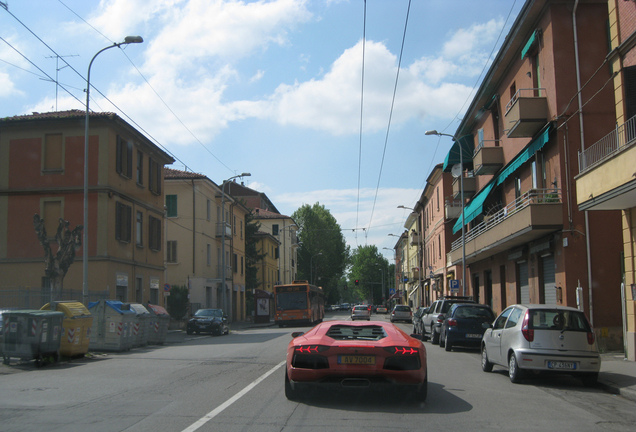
point(526, 113)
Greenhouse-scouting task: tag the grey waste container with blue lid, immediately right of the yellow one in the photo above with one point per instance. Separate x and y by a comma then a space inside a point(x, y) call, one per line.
point(112, 328)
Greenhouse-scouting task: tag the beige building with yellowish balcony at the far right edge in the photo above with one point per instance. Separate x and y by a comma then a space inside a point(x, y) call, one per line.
point(607, 167)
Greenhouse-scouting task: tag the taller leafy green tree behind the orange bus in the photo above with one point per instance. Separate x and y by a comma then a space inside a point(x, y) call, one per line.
point(323, 254)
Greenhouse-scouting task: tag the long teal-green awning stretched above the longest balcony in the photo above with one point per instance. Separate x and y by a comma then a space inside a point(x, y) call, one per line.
point(475, 207)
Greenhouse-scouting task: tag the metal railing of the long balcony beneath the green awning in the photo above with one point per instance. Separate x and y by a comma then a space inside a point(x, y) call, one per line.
point(533, 196)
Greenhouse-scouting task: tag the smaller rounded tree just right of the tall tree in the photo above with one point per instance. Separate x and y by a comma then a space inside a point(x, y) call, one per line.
point(371, 269)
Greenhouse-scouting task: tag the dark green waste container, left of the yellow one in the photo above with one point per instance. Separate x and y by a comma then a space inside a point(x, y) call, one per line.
point(31, 334)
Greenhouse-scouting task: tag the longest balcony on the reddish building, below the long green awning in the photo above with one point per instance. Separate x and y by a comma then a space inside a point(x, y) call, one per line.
point(533, 215)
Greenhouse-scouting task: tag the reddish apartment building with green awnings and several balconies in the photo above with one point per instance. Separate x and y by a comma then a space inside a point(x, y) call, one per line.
point(527, 241)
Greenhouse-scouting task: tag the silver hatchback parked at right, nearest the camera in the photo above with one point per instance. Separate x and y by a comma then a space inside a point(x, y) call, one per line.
point(539, 338)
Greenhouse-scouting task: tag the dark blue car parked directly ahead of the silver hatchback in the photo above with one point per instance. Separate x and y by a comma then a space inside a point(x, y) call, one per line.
point(464, 325)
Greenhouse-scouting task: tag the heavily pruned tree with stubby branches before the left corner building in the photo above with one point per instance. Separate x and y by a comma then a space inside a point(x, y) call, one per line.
point(56, 265)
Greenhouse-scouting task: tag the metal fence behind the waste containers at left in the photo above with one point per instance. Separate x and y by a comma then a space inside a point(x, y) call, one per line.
point(35, 298)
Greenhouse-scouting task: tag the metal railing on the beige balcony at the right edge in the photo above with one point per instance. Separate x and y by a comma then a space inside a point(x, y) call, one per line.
point(619, 139)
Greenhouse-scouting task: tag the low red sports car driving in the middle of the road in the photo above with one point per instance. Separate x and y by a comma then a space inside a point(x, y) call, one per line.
point(356, 357)
